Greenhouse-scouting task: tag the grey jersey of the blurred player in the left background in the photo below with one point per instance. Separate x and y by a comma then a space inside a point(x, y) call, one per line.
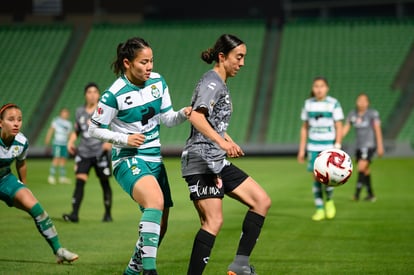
point(88, 146)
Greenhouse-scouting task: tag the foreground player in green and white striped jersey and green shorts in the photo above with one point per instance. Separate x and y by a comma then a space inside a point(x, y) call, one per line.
point(129, 115)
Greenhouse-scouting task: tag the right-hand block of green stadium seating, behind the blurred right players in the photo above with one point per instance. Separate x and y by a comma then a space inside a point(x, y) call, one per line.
point(355, 55)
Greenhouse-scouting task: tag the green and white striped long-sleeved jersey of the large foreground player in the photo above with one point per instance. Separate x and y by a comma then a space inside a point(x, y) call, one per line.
point(127, 109)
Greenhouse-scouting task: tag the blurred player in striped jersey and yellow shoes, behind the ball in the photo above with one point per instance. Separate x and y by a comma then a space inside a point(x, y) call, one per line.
point(321, 129)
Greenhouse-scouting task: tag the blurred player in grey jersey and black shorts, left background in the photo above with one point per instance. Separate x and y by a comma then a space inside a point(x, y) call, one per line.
point(89, 153)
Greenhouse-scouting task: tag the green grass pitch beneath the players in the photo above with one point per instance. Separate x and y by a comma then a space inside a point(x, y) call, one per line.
point(364, 238)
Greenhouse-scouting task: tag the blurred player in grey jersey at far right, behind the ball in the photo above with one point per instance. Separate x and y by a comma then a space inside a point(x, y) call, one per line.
point(367, 124)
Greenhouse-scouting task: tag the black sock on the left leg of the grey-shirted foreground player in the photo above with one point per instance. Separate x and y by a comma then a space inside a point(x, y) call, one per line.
point(203, 243)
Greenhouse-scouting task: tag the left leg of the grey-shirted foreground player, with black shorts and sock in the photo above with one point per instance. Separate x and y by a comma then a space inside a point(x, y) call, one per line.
point(206, 192)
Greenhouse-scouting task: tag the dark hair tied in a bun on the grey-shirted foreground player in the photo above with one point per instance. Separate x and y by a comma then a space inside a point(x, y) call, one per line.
point(224, 44)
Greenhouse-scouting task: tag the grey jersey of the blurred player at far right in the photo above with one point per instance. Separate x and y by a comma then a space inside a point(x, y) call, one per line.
point(364, 127)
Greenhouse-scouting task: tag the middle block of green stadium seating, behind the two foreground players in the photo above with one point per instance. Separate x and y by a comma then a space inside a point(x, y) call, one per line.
point(177, 47)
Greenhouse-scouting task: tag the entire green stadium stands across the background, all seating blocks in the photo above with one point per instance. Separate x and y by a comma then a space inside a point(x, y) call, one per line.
point(356, 55)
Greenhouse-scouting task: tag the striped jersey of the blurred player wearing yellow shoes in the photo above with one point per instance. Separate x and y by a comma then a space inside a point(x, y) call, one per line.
point(321, 116)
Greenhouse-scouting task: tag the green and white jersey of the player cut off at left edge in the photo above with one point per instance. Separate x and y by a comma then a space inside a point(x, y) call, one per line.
point(17, 150)
